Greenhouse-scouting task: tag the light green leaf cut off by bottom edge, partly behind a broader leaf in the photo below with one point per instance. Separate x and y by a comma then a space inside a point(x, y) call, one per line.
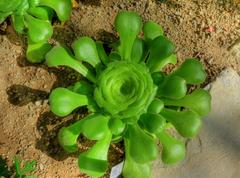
point(133, 169)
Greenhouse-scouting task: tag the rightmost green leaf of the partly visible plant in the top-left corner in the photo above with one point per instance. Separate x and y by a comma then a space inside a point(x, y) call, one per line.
point(61, 7)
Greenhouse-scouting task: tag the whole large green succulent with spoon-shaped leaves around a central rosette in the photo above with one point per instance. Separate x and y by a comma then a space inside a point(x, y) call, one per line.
point(129, 98)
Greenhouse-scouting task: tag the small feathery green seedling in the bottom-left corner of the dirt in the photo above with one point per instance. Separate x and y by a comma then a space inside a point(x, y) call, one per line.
point(22, 170)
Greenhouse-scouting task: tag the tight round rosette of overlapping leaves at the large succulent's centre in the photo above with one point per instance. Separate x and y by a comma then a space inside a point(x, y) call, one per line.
point(125, 89)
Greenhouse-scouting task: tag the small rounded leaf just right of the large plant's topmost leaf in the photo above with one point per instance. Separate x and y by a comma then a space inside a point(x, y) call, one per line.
point(151, 30)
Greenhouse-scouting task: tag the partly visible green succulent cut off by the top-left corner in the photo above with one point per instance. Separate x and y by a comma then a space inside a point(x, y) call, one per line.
point(34, 18)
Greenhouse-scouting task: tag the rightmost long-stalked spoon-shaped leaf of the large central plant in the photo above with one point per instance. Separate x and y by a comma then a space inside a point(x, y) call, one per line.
point(198, 101)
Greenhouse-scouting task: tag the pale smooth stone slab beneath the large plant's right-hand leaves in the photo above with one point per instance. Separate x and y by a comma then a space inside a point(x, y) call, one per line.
point(215, 153)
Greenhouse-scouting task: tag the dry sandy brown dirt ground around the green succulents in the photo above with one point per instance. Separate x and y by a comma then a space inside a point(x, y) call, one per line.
point(205, 29)
